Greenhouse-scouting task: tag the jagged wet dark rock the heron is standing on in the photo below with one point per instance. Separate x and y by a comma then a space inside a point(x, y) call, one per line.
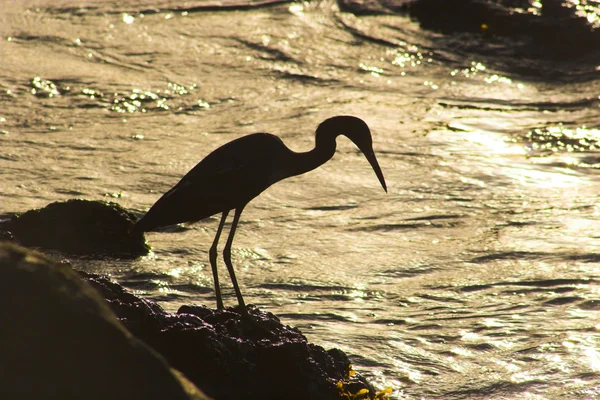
point(231, 356)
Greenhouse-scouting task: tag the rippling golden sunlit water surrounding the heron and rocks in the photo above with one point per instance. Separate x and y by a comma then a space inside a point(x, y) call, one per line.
point(476, 276)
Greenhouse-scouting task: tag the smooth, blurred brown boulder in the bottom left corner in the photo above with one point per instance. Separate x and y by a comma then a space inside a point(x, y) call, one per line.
point(60, 340)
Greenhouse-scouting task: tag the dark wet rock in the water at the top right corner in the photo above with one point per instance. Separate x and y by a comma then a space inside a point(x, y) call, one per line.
point(556, 31)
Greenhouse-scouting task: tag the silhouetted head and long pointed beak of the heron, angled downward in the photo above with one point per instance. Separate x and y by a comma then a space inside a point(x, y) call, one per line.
point(359, 133)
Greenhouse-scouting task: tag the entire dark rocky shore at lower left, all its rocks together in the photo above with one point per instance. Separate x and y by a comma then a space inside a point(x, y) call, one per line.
point(72, 334)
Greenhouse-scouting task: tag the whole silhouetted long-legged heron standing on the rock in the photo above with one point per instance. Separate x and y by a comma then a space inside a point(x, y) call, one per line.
point(237, 172)
